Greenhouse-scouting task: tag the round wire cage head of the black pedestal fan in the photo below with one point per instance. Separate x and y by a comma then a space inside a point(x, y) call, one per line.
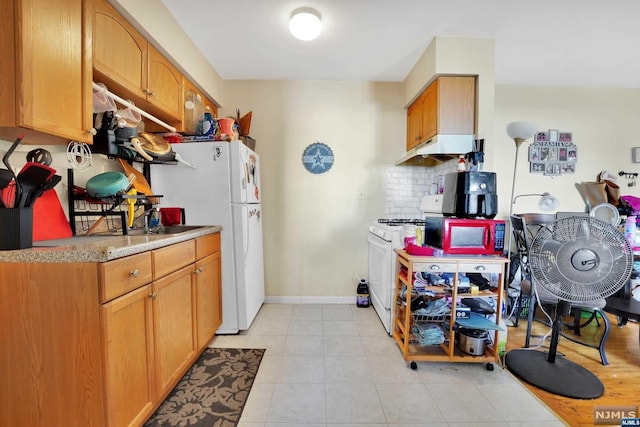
point(580, 259)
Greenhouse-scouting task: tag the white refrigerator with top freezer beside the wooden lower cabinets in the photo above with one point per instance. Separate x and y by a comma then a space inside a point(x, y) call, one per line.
point(223, 189)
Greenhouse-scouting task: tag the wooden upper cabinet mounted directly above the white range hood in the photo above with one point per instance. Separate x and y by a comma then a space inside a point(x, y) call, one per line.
point(446, 107)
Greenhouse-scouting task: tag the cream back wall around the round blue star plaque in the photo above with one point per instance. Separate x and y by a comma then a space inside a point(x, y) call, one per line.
point(315, 226)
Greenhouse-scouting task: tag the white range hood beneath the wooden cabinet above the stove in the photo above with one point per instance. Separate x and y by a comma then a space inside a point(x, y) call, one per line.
point(438, 149)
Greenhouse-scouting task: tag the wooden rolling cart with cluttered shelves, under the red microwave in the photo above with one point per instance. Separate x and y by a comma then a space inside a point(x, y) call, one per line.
point(432, 338)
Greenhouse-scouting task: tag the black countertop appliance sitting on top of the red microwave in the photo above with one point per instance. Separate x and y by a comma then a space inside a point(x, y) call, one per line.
point(470, 195)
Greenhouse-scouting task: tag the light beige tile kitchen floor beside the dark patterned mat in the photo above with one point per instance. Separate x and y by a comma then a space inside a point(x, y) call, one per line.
point(334, 365)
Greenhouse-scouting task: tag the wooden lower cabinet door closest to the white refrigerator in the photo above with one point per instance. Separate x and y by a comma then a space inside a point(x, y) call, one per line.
point(208, 298)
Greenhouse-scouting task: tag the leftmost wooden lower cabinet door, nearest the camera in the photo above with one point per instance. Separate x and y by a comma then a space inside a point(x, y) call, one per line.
point(129, 358)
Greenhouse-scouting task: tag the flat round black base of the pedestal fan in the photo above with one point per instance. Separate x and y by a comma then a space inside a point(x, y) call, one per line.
point(562, 377)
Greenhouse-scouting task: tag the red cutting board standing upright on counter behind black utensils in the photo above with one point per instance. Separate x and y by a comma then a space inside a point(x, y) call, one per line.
point(49, 220)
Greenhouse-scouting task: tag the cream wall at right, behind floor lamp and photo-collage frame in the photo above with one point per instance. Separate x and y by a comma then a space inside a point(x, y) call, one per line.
point(604, 122)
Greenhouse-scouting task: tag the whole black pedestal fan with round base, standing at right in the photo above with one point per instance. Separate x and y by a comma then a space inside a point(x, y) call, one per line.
point(578, 260)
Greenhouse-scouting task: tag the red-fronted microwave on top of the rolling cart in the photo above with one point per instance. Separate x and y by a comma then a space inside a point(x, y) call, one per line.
point(465, 236)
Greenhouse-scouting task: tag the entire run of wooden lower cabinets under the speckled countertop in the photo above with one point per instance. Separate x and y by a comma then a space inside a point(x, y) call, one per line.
point(79, 348)
